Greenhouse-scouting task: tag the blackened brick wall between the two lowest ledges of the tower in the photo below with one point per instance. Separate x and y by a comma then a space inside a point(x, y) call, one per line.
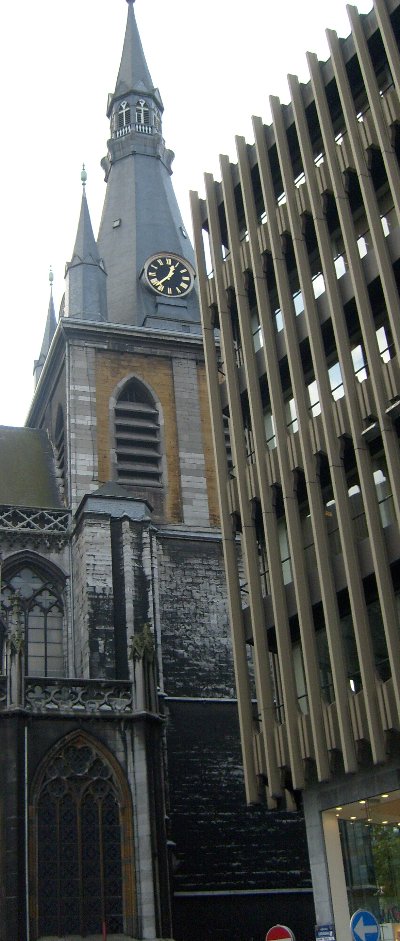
point(220, 842)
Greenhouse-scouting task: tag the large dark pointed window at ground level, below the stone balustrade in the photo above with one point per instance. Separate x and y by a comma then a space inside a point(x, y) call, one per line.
point(82, 844)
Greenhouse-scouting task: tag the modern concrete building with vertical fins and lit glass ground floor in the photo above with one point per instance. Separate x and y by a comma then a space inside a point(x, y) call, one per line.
point(298, 254)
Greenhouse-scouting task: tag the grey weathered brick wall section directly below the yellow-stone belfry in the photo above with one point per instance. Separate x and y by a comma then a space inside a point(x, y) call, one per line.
point(195, 634)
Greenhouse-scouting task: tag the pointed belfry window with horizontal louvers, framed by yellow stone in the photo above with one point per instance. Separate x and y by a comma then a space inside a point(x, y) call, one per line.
point(137, 437)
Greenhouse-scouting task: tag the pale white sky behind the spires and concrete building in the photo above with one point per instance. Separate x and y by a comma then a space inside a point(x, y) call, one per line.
point(215, 62)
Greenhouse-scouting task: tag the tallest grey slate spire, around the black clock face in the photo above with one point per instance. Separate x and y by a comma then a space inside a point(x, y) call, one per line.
point(141, 216)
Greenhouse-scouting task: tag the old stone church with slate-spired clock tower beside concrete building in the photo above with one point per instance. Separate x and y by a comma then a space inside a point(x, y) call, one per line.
point(122, 799)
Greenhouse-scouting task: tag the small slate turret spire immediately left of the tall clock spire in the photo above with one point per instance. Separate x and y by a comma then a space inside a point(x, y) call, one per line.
point(85, 277)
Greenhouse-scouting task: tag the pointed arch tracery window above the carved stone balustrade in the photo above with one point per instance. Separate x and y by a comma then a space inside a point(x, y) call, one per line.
point(31, 605)
